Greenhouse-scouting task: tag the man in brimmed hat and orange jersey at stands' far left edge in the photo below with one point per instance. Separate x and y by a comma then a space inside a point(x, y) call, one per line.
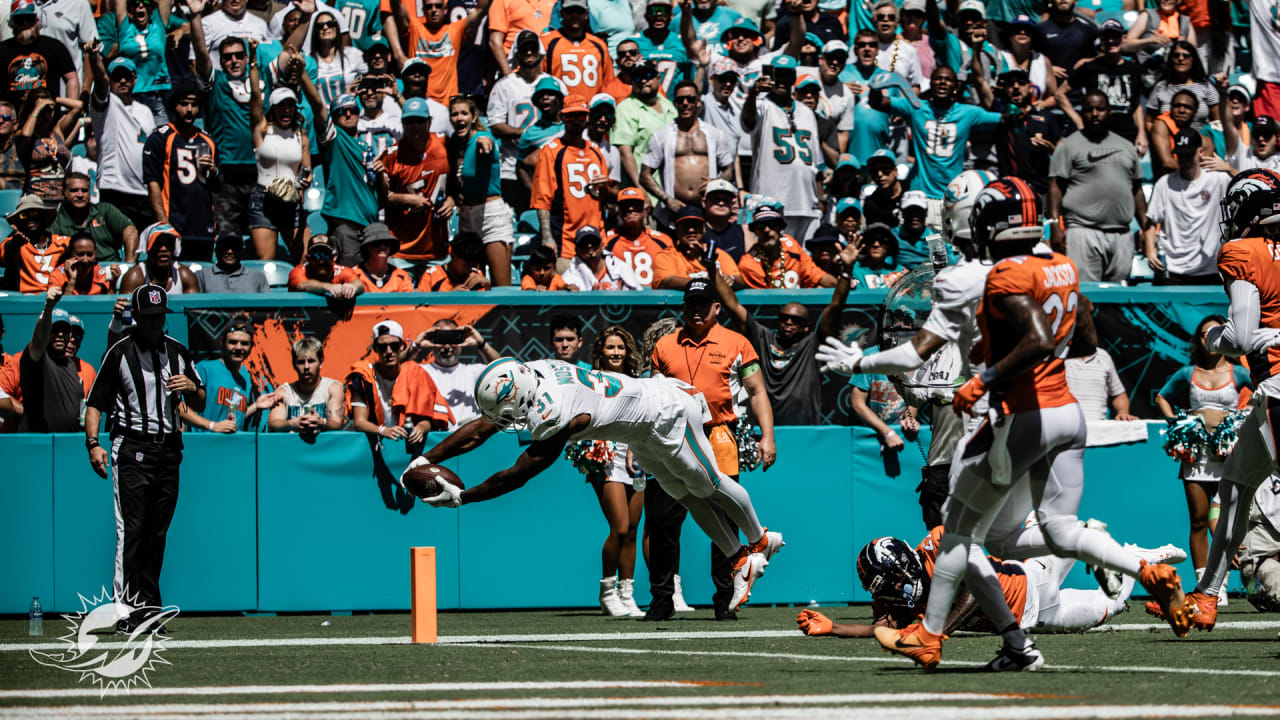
point(31, 252)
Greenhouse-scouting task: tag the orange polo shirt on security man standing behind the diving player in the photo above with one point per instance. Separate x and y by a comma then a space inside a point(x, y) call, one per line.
point(714, 366)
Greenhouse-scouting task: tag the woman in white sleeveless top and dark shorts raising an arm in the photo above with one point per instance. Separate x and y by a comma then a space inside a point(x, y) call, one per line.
point(284, 170)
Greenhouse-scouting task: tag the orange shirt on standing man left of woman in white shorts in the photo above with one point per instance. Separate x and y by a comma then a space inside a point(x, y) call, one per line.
point(420, 238)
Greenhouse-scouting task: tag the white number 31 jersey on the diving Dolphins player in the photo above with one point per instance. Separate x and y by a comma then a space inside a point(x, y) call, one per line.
point(623, 409)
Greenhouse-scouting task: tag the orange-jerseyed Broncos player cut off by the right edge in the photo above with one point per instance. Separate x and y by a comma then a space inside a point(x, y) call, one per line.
point(1250, 265)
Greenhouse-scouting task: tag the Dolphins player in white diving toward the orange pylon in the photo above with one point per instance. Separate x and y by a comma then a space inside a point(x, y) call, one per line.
point(661, 420)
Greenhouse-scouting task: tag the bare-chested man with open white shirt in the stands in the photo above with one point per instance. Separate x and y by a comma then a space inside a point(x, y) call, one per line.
point(689, 153)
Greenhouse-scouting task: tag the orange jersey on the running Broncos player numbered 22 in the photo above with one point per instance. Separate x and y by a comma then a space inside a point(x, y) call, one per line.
point(1053, 282)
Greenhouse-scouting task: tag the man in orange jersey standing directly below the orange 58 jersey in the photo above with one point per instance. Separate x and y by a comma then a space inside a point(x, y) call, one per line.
point(572, 181)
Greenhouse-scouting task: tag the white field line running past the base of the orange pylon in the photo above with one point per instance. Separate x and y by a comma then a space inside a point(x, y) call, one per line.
point(176, 644)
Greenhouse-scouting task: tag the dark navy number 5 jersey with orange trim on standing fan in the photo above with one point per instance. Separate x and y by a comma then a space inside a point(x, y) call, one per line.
point(170, 160)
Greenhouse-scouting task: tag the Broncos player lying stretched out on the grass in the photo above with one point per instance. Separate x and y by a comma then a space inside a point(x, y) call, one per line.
point(899, 582)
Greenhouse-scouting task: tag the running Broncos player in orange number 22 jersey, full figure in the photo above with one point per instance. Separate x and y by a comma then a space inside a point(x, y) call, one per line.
point(1035, 426)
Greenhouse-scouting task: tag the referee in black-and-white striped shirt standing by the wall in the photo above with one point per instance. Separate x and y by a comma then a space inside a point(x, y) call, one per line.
point(144, 380)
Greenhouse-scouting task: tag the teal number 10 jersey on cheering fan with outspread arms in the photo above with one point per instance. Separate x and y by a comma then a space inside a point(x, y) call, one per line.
point(940, 142)
